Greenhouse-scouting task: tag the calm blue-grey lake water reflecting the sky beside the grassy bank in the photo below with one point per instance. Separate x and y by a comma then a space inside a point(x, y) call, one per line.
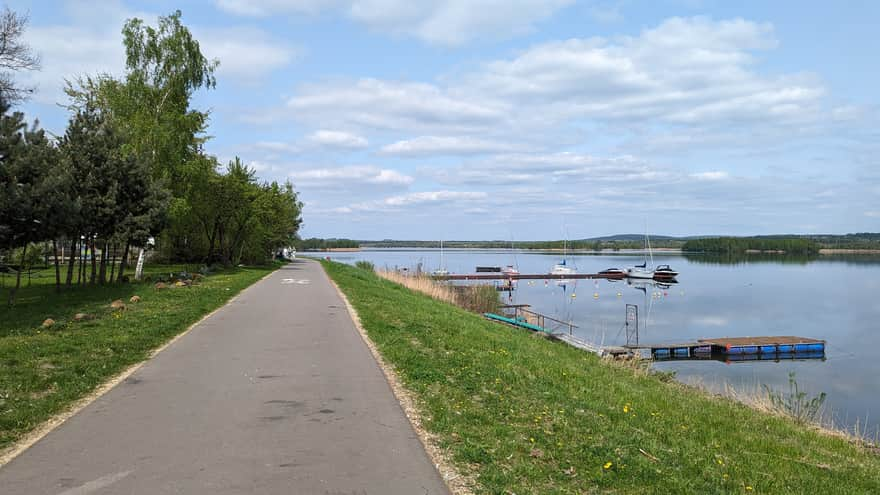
point(825, 298)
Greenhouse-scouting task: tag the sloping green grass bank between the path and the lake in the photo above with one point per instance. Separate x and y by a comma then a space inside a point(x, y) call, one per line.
point(521, 414)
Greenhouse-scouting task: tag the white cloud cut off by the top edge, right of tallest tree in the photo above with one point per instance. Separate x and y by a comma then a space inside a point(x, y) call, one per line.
point(441, 22)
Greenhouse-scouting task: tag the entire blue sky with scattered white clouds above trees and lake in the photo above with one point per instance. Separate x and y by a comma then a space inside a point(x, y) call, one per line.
point(523, 119)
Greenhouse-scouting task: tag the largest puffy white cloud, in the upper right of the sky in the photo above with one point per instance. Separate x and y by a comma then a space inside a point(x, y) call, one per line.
point(690, 71)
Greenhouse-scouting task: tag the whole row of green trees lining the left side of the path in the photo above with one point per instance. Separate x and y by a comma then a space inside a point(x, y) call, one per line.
point(130, 170)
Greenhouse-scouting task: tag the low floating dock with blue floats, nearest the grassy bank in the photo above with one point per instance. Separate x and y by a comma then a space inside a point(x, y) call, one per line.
point(738, 346)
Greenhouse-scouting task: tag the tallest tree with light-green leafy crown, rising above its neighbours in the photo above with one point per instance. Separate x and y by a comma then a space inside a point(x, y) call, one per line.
point(151, 104)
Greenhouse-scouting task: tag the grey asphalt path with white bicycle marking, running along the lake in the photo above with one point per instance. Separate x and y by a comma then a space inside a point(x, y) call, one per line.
point(276, 393)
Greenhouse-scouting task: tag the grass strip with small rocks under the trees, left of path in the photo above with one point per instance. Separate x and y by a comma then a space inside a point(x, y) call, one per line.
point(45, 370)
